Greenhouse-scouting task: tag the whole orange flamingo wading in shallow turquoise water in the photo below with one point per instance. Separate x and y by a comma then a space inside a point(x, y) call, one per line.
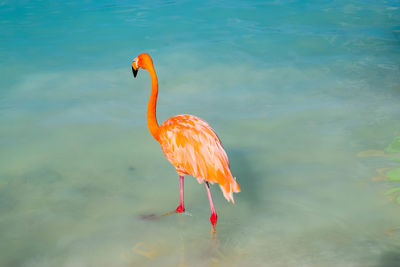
point(190, 144)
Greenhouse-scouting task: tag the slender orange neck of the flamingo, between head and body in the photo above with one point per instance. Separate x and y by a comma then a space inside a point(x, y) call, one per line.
point(151, 107)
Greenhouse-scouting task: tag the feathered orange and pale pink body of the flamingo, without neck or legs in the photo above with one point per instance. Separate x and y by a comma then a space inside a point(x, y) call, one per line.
point(193, 147)
